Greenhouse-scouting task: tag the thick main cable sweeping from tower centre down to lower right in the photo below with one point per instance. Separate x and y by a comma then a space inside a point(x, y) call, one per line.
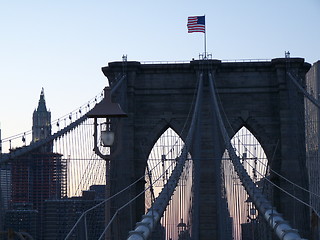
point(281, 228)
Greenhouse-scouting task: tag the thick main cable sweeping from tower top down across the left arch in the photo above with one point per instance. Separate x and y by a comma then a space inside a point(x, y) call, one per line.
point(152, 217)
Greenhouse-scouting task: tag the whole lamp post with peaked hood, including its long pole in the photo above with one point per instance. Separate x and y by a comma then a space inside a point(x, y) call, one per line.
point(107, 110)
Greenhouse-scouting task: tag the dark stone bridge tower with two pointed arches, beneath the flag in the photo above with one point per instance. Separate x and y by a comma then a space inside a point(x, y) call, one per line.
point(257, 95)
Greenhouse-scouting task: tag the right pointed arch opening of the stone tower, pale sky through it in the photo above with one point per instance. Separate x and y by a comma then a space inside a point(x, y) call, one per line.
point(254, 160)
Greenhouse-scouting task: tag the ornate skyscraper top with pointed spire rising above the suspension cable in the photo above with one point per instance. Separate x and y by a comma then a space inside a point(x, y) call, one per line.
point(41, 127)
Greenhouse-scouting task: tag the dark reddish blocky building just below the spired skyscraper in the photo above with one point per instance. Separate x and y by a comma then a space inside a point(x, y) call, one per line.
point(36, 177)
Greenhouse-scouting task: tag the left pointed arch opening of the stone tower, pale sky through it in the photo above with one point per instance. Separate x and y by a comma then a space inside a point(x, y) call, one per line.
point(161, 162)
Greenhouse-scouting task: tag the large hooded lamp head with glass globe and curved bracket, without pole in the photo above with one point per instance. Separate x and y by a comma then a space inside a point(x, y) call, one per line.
point(106, 110)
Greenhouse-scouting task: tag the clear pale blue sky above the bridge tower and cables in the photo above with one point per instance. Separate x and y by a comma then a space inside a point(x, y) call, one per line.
point(62, 45)
